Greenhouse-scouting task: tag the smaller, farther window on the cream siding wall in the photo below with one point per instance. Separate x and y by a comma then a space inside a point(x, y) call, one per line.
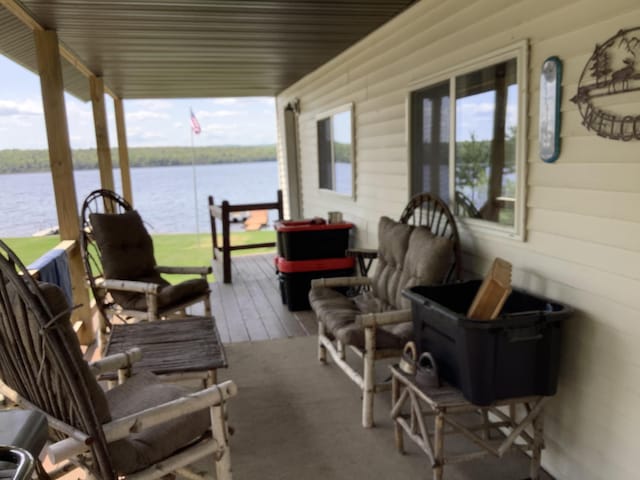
point(335, 151)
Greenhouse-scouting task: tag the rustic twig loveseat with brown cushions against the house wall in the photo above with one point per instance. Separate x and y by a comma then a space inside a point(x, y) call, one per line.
point(422, 248)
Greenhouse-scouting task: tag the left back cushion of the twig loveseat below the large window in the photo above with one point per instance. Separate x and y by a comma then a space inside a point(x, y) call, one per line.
point(393, 242)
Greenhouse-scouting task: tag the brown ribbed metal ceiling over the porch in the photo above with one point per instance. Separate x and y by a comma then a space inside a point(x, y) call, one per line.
point(195, 48)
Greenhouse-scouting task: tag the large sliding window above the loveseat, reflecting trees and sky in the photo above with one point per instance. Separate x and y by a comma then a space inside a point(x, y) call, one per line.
point(472, 124)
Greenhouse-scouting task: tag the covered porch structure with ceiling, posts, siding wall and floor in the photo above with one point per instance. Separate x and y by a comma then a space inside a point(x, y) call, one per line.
point(574, 237)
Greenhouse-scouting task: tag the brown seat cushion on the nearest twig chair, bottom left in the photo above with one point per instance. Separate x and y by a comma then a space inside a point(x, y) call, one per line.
point(154, 444)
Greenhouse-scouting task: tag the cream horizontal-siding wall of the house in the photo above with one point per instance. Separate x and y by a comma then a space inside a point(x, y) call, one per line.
point(582, 243)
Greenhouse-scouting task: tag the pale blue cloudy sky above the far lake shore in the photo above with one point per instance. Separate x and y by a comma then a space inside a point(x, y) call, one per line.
point(149, 123)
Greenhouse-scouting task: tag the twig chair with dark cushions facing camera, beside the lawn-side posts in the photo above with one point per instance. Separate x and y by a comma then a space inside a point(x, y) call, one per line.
point(121, 269)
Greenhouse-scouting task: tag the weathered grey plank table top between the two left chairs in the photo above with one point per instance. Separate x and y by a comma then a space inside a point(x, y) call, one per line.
point(190, 344)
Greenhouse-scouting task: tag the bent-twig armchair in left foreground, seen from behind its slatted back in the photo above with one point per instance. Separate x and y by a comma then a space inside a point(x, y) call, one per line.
point(141, 429)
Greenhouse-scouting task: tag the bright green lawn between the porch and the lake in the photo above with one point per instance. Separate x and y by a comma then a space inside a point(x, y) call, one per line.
point(171, 250)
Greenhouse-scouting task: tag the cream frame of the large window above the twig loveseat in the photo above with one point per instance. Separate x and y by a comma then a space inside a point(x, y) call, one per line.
point(520, 52)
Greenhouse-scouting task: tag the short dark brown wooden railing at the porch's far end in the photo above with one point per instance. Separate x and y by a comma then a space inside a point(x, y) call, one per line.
point(223, 213)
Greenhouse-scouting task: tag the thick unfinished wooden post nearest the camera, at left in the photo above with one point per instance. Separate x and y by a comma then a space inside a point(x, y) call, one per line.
point(51, 83)
